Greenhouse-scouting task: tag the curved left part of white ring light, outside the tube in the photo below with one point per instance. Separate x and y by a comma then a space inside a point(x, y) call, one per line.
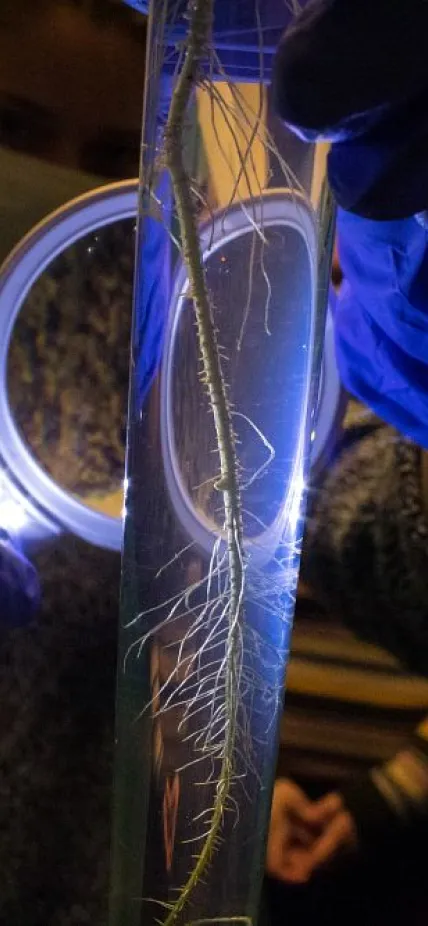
point(26, 263)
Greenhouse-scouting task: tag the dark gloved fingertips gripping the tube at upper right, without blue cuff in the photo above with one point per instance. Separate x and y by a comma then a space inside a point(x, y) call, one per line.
point(355, 73)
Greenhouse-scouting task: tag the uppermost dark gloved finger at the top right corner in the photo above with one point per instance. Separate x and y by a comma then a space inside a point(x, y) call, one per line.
point(334, 46)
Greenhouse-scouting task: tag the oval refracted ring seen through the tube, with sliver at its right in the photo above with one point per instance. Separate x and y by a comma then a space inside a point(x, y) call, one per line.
point(278, 208)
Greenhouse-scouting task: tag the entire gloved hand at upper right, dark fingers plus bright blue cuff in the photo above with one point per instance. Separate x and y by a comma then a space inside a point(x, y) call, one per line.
point(356, 72)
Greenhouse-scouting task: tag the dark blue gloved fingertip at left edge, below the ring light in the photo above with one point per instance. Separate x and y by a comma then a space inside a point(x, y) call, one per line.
point(19, 586)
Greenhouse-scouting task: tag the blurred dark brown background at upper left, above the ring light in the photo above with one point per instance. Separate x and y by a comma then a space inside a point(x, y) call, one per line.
point(71, 84)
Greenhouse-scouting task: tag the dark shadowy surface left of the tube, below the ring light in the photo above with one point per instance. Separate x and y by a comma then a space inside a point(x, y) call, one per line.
point(57, 686)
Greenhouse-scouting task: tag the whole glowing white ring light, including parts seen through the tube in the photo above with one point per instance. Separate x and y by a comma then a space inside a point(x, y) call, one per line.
point(32, 505)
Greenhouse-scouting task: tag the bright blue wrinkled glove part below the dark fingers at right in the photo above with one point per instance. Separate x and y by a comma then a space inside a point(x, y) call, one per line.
point(382, 319)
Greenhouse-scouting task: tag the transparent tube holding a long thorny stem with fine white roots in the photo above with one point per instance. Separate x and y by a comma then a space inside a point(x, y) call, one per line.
point(233, 258)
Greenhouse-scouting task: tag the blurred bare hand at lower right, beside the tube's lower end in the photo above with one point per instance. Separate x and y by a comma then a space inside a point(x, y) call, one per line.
point(304, 835)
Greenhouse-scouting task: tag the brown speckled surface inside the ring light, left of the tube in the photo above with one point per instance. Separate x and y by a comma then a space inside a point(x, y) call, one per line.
point(69, 362)
